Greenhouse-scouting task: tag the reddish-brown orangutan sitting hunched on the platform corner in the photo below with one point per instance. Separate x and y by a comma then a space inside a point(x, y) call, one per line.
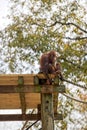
point(48, 64)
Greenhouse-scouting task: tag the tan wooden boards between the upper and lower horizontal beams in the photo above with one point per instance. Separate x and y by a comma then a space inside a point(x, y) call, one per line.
point(12, 101)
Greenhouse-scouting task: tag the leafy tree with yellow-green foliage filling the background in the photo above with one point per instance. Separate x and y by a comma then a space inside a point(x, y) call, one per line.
point(39, 26)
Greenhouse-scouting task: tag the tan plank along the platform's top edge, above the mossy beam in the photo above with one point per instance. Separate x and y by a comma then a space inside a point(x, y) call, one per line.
point(12, 79)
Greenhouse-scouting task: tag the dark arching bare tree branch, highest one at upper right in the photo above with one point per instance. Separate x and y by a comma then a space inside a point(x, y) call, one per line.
point(67, 24)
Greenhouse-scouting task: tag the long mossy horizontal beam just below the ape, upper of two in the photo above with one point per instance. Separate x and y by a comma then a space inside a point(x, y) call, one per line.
point(31, 89)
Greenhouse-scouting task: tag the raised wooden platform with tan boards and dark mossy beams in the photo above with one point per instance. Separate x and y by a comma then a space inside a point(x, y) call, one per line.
point(19, 91)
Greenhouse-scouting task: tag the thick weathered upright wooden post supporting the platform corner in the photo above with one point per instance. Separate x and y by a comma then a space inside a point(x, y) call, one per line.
point(47, 113)
